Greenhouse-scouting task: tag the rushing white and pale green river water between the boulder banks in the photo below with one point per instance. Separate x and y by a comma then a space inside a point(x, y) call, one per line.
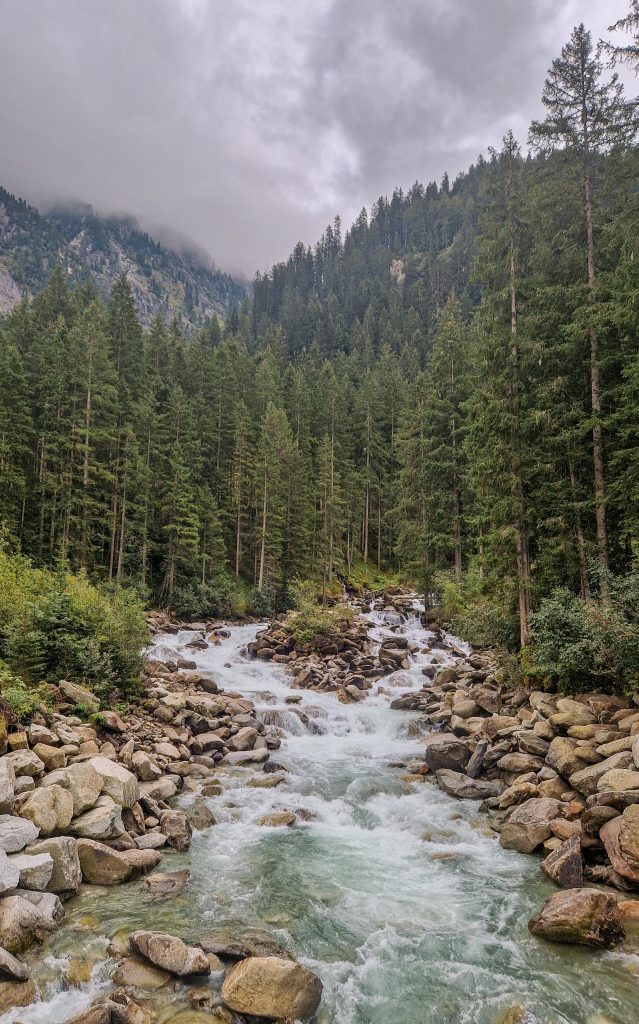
point(397, 895)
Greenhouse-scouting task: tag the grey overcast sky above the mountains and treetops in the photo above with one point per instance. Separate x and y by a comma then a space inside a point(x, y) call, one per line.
point(248, 124)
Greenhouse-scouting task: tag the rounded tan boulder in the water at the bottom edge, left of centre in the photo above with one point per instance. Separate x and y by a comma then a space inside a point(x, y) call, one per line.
point(269, 987)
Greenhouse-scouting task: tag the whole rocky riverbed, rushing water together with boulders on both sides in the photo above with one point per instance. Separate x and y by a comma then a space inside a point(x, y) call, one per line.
point(304, 844)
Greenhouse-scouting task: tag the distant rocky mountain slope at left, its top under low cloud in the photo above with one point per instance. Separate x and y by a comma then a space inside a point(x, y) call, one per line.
point(184, 285)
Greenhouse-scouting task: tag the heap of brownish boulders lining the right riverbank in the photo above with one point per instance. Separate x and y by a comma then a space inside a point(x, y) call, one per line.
point(557, 776)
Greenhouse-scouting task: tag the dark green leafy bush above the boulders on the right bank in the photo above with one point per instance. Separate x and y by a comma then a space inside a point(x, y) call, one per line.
point(577, 646)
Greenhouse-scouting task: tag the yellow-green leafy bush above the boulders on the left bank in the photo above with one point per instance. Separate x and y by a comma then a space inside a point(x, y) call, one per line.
point(58, 625)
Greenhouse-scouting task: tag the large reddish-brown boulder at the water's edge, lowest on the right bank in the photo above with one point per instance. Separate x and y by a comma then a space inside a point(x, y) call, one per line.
point(586, 917)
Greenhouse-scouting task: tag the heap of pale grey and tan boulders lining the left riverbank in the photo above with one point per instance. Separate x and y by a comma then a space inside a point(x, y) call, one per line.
point(93, 803)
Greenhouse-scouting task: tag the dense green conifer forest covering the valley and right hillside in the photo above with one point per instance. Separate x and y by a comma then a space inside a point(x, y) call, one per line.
point(449, 391)
